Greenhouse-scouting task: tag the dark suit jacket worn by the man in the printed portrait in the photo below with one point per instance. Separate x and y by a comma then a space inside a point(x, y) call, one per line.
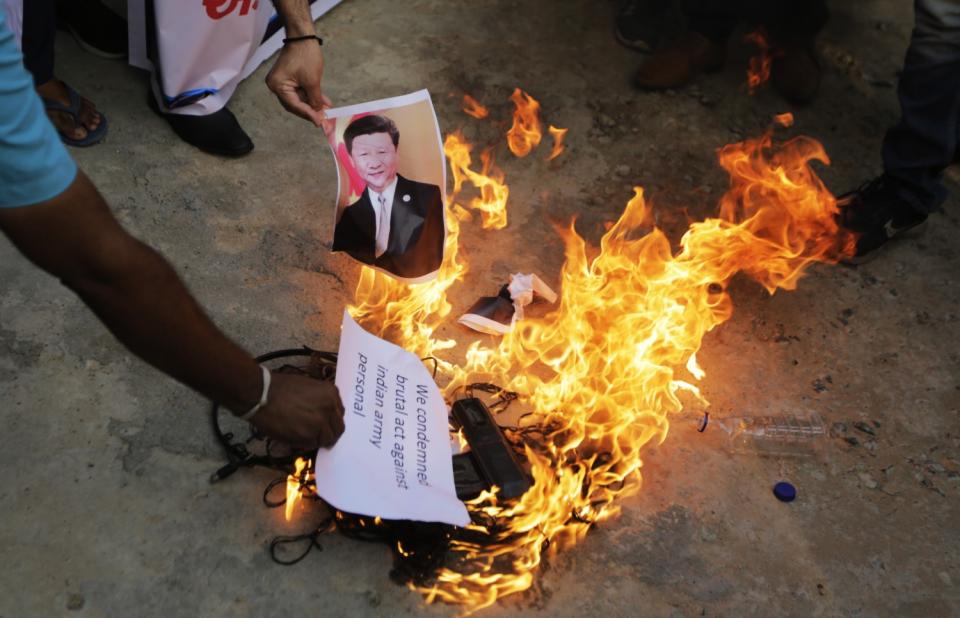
point(415, 246)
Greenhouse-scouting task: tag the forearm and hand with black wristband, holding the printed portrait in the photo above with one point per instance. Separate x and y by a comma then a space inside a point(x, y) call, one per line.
point(297, 75)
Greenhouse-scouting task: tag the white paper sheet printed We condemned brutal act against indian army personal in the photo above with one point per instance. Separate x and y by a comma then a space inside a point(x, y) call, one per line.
point(393, 459)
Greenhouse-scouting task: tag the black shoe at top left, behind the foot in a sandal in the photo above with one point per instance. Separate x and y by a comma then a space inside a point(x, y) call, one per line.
point(96, 28)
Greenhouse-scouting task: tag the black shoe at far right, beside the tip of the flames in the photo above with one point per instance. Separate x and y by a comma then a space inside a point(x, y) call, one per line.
point(877, 213)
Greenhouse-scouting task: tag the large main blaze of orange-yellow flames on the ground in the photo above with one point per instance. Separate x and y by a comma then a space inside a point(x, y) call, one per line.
point(603, 373)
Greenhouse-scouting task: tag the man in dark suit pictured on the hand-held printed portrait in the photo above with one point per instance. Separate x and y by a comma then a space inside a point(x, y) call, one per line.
point(397, 223)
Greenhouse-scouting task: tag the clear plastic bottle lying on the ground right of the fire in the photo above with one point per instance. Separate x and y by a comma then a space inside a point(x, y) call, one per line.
point(782, 435)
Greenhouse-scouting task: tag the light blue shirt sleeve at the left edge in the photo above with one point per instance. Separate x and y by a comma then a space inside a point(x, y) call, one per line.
point(34, 165)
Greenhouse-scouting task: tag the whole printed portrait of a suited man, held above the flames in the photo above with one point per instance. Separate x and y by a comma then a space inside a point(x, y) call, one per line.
point(390, 148)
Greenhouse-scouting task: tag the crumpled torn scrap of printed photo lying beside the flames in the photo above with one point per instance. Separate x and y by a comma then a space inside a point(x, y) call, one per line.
point(496, 315)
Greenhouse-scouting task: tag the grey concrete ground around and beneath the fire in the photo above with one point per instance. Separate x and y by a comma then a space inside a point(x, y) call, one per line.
point(104, 498)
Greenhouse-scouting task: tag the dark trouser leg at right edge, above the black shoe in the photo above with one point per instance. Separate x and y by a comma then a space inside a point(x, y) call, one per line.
point(918, 148)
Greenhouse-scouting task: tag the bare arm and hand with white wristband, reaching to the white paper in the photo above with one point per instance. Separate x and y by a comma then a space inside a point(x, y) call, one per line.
point(139, 297)
